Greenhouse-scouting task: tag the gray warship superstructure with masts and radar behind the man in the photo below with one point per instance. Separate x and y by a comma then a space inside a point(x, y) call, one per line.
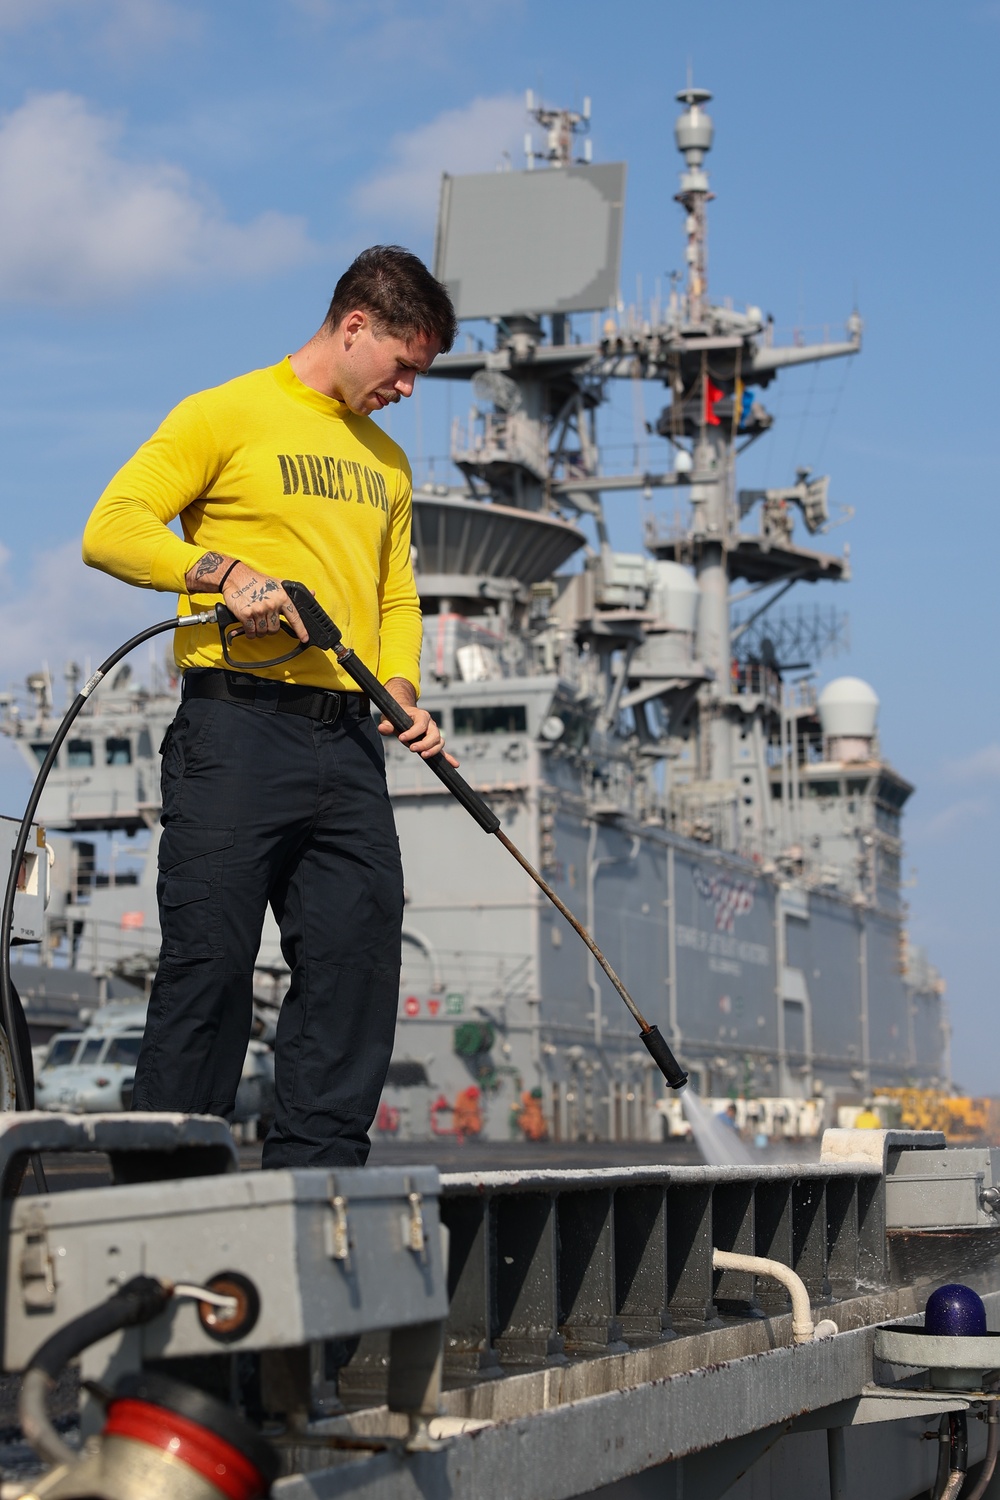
point(647, 725)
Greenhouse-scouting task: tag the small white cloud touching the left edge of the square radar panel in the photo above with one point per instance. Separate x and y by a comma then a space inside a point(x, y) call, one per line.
point(470, 140)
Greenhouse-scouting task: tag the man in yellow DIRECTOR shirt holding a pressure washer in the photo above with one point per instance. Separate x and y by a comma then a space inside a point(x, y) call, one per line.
point(274, 779)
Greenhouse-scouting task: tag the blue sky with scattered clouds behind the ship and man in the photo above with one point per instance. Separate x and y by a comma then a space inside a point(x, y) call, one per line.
point(182, 182)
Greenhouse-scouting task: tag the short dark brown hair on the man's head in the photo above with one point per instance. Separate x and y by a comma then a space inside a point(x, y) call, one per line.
point(400, 295)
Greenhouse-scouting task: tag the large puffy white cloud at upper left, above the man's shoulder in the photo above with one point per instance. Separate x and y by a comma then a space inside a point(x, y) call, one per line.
point(83, 223)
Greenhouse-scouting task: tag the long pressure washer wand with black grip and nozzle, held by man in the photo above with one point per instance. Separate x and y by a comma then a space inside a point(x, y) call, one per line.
point(326, 635)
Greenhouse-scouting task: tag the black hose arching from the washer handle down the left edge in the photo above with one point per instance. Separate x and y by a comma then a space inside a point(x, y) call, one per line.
point(11, 1010)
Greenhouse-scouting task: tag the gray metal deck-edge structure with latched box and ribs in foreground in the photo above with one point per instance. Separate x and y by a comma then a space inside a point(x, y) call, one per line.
point(536, 1334)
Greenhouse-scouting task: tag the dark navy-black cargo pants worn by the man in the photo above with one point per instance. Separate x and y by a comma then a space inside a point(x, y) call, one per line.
point(265, 806)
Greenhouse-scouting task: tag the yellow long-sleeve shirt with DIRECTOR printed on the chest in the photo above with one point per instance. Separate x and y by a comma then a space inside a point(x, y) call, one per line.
point(292, 482)
